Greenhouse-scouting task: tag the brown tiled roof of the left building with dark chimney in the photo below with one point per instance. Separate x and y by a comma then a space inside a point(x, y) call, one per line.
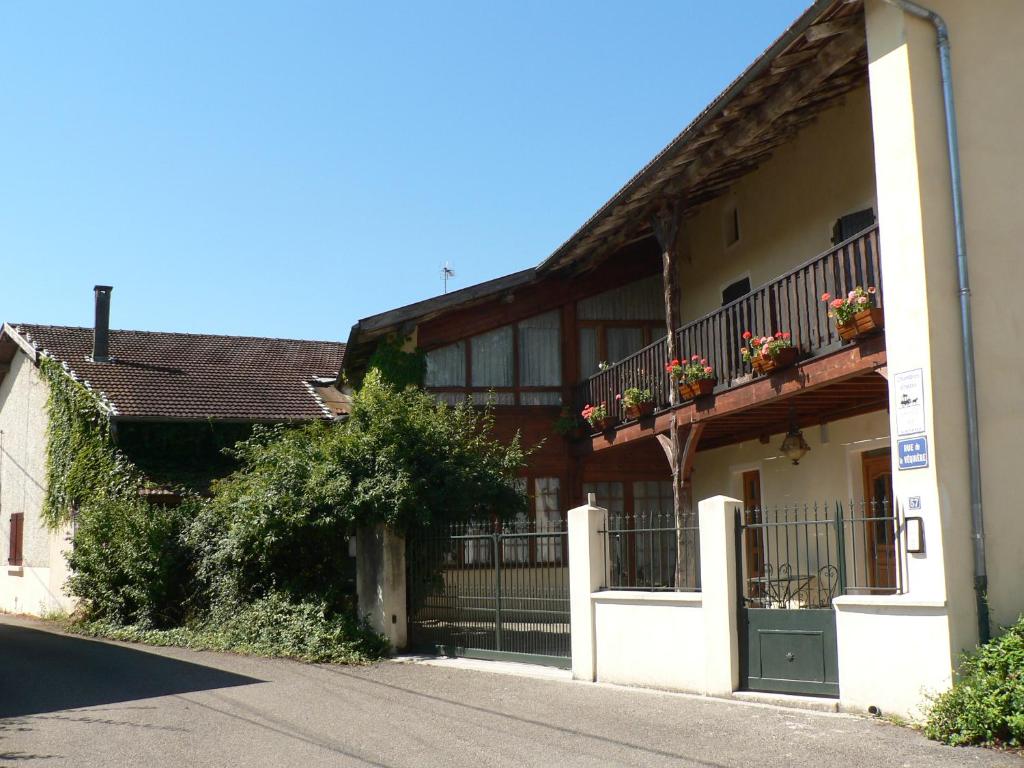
point(169, 376)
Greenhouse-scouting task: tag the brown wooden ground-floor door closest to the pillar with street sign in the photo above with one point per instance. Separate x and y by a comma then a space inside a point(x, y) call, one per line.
point(881, 550)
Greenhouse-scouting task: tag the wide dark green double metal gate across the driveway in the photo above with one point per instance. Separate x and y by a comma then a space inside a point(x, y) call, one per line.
point(491, 590)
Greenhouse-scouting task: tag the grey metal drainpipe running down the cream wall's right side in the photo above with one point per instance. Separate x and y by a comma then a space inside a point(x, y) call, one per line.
point(967, 327)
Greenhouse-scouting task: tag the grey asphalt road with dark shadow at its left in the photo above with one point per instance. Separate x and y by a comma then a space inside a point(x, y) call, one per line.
point(70, 702)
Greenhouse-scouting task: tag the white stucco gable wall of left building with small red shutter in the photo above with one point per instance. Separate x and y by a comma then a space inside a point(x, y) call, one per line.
point(36, 587)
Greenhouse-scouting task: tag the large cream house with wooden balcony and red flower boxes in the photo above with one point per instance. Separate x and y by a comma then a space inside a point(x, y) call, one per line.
point(867, 564)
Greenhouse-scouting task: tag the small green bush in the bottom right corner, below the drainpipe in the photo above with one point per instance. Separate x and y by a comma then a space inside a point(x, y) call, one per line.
point(987, 704)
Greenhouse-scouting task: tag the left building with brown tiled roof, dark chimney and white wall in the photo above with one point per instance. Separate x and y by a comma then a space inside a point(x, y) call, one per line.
point(211, 389)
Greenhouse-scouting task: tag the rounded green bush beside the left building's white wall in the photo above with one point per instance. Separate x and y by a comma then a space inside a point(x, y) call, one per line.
point(131, 564)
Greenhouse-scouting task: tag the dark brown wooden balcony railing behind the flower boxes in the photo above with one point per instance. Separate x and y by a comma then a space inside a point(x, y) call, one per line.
point(791, 304)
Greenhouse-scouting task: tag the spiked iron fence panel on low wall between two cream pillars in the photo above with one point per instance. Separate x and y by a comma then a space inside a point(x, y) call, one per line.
point(652, 552)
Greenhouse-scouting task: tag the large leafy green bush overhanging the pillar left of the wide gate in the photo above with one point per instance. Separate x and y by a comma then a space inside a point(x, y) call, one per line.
point(283, 521)
